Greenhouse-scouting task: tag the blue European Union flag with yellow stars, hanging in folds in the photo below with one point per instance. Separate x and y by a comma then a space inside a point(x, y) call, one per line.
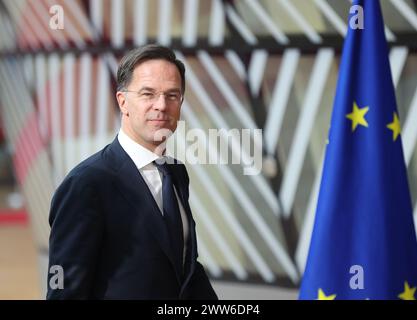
point(363, 244)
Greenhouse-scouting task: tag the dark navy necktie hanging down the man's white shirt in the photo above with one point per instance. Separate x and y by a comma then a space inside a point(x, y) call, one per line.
point(172, 215)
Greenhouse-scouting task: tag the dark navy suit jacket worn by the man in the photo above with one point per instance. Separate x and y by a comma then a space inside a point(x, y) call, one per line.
point(108, 235)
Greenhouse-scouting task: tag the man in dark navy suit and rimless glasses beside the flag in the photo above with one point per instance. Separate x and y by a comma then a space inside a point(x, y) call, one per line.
point(121, 225)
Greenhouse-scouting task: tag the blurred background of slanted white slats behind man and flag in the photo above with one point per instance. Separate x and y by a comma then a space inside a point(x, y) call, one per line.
point(267, 64)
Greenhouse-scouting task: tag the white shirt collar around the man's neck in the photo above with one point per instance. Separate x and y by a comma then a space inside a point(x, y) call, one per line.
point(139, 154)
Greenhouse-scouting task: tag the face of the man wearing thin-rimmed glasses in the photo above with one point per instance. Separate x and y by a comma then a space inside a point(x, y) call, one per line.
point(152, 105)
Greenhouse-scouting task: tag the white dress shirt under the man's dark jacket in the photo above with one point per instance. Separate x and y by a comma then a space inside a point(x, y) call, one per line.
point(143, 159)
